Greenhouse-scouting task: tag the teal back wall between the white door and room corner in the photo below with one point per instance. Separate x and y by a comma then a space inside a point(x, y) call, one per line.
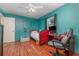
point(23, 25)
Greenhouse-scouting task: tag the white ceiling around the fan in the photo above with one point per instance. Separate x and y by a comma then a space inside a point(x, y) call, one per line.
point(15, 9)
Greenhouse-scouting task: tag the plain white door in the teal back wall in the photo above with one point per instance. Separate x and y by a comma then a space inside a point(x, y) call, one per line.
point(9, 29)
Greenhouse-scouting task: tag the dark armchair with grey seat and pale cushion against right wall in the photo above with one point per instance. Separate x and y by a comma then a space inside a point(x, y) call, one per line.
point(64, 44)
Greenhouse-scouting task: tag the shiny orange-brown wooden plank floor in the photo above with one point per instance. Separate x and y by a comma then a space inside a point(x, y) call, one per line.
point(29, 48)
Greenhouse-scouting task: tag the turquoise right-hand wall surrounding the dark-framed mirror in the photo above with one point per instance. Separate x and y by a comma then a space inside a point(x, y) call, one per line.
point(67, 17)
